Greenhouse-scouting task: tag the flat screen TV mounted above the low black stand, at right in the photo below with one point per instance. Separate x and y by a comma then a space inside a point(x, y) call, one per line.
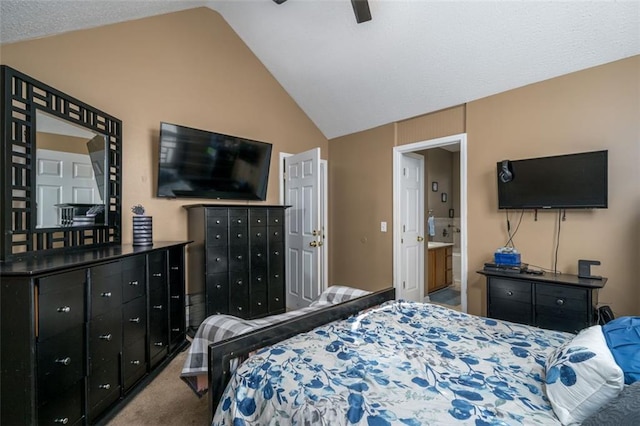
point(571, 181)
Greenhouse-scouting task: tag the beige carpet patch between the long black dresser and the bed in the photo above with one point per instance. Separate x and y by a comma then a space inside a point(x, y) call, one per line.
point(167, 400)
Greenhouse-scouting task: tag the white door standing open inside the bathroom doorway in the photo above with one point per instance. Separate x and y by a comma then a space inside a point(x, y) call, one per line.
point(412, 223)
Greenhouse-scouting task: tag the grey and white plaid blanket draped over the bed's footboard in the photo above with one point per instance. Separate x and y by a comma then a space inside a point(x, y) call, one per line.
point(221, 327)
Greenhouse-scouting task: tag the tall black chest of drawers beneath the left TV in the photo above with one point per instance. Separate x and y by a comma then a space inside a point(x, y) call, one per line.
point(236, 260)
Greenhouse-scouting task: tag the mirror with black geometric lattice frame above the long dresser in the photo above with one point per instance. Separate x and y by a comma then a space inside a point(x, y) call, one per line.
point(61, 179)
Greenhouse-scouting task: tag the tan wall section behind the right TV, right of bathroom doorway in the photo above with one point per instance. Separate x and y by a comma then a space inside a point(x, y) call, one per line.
point(594, 109)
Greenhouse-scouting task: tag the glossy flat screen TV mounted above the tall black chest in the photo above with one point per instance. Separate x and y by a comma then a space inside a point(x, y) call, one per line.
point(201, 164)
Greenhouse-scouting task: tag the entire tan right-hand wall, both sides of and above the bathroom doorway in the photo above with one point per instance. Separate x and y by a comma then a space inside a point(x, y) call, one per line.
point(593, 109)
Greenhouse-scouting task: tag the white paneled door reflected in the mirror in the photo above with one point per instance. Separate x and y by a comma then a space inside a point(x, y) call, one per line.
point(62, 177)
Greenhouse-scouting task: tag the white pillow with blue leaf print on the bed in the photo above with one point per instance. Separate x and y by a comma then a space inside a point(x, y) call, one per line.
point(582, 376)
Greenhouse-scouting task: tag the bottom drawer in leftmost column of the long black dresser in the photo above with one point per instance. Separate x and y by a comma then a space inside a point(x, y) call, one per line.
point(65, 408)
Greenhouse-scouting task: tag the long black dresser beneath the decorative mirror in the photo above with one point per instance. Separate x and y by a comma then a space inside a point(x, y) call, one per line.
point(83, 332)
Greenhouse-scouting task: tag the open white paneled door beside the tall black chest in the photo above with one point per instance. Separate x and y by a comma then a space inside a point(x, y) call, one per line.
point(304, 231)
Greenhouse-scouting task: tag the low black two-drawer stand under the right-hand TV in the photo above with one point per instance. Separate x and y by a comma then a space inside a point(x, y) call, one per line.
point(560, 302)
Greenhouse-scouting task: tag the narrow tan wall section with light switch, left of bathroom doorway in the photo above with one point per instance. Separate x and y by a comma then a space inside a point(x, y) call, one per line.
point(360, 187)
